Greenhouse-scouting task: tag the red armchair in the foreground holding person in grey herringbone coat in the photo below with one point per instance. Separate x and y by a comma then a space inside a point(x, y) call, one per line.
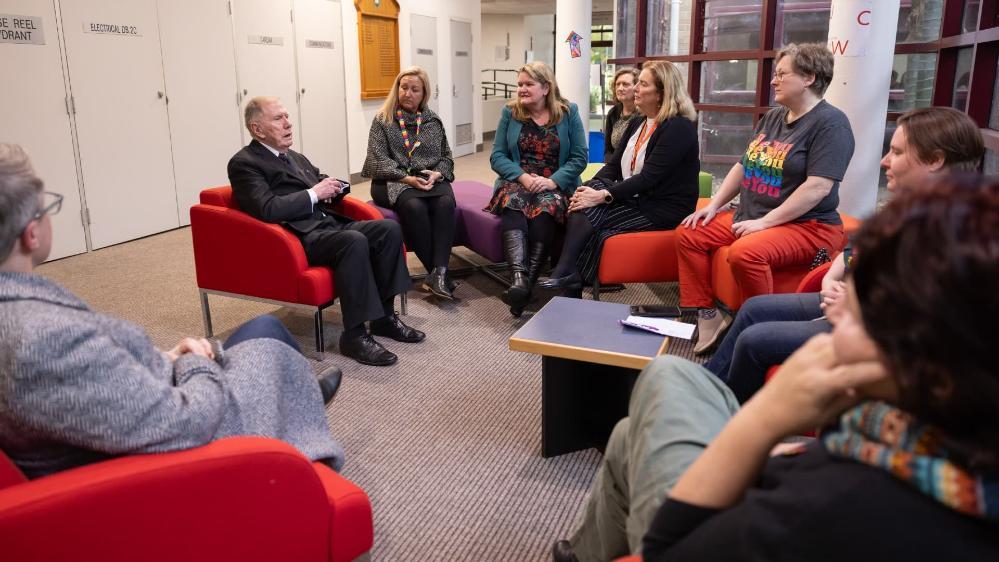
point(242, 498)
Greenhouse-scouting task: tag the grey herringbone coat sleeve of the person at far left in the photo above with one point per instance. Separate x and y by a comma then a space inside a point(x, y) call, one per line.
point(80, 387)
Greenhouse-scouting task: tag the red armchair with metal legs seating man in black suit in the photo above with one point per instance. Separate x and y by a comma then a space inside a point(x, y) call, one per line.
point(236, 255)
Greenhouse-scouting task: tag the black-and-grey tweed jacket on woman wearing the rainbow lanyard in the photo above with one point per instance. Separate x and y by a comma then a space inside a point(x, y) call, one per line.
point(387, 158)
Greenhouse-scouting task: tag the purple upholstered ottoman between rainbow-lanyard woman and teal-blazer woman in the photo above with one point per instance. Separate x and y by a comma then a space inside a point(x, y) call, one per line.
point(475, 229)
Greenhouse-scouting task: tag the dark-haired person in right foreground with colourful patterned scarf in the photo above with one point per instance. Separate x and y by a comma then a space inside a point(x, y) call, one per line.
point(906, 386)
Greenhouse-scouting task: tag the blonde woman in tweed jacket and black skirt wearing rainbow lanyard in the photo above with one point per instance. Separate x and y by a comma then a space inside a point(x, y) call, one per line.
point(410, 165)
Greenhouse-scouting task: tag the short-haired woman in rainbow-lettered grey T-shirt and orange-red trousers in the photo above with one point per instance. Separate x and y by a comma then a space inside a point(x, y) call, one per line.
point(788, 188)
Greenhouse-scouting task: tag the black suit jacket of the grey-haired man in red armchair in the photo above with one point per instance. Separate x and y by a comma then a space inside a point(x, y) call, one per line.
point(269, 190)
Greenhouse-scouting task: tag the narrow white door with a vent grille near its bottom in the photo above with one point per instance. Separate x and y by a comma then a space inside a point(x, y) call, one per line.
point(463, 88)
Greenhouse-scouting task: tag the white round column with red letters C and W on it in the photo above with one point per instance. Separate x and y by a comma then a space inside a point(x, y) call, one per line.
point(862, 39)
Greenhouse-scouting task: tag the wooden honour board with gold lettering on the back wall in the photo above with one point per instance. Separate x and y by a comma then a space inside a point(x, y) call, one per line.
point(378, 45)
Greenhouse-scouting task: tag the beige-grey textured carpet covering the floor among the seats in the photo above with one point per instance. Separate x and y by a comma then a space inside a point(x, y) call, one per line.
point(446, 443)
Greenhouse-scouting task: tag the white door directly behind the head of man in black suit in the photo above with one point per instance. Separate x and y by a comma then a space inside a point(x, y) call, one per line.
point(265, 55)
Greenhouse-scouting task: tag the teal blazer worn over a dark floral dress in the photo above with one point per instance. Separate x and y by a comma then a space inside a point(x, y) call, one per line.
point(572, 154)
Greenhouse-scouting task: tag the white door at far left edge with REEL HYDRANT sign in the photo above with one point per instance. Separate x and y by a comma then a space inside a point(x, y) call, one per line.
point(34, 111)
